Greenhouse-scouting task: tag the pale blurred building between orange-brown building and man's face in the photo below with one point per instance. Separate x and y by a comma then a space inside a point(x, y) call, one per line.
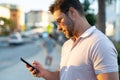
point(38, 19)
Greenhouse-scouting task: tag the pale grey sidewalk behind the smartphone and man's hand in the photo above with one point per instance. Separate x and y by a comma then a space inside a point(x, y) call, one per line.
point(19, 71)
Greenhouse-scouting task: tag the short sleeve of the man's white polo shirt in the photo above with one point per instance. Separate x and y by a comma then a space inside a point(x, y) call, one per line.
point(104, 57)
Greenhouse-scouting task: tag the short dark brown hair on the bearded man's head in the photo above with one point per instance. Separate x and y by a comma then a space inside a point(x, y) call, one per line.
point(64, 5)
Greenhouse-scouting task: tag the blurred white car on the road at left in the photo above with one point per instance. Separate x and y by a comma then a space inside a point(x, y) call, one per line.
point(15, 39)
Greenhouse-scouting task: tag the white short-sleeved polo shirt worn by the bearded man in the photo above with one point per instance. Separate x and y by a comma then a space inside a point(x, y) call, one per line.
point(93, 54)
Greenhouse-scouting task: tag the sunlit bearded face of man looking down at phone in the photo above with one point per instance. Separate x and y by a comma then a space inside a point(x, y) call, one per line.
point(65, 23)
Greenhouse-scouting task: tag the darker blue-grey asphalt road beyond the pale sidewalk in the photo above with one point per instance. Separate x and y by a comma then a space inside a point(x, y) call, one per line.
point(10, 55)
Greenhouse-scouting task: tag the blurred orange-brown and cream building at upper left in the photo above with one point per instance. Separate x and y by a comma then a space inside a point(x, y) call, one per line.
point(16, 15)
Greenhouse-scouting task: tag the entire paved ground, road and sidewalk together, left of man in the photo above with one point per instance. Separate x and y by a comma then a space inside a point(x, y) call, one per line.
point(13, 69)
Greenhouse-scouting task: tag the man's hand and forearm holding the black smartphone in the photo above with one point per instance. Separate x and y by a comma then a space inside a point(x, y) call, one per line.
point(47, 75)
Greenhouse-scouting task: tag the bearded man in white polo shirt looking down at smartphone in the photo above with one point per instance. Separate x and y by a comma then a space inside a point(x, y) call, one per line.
point(87, 55)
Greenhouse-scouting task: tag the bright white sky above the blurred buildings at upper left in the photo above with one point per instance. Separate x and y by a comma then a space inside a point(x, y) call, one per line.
point(27, 5)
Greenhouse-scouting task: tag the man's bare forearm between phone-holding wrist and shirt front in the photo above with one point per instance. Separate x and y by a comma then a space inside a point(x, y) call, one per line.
point(52, 75)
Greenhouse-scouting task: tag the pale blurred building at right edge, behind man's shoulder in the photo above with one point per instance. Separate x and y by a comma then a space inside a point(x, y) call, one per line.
point(113, 20)
